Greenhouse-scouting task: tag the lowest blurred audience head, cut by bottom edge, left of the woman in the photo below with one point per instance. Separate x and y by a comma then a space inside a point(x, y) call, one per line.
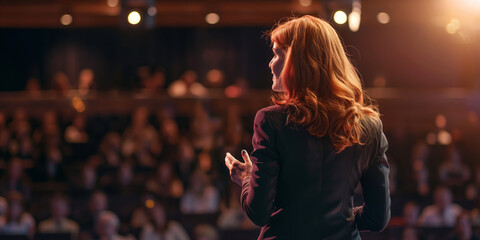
point(107, 225)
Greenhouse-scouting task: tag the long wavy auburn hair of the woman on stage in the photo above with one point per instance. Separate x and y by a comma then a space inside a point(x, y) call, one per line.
point(323, 91)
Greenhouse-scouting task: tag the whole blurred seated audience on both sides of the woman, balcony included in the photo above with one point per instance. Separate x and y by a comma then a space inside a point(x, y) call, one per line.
point(157, 175)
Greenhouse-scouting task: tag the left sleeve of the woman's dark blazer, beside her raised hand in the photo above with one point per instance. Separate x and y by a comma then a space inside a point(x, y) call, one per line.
point(258, 191)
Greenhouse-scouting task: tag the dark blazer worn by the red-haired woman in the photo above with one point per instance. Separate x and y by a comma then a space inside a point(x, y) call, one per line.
point(301, 188)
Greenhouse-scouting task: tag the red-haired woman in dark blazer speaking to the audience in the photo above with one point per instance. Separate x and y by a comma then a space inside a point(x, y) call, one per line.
point(312, 148)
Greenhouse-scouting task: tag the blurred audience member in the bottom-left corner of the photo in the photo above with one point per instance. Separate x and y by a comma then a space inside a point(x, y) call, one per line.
point(18, 222)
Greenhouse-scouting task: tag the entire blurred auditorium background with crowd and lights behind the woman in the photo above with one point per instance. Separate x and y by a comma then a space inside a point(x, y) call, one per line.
point(115, 115)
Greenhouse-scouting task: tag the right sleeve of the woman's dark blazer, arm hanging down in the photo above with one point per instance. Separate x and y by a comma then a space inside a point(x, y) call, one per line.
point(374, 215)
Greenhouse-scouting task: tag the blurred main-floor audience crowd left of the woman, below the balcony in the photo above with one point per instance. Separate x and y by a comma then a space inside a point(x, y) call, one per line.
point(160, 178)
